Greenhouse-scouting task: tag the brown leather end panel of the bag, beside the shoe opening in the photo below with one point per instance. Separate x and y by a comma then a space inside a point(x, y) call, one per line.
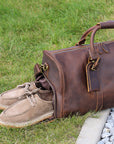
point(55, 77)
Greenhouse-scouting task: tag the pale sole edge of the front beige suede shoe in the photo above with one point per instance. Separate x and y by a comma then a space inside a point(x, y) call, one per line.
point(25, 124)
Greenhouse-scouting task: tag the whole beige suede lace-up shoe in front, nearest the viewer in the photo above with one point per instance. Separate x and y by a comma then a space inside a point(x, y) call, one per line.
point(27, 111)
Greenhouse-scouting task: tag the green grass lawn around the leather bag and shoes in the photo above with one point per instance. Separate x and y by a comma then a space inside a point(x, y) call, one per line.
point(27, 28)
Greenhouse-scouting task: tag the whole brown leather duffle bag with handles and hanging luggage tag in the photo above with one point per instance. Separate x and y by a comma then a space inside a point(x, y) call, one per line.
point(81, 77)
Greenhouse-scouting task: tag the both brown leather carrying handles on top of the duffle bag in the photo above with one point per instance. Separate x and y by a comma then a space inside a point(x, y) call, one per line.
point(94, 29)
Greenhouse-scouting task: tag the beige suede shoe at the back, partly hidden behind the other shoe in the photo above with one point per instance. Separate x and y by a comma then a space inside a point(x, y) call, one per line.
point(11, 96)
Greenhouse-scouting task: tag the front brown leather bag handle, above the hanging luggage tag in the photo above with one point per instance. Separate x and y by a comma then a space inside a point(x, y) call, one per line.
point(103, 25)
